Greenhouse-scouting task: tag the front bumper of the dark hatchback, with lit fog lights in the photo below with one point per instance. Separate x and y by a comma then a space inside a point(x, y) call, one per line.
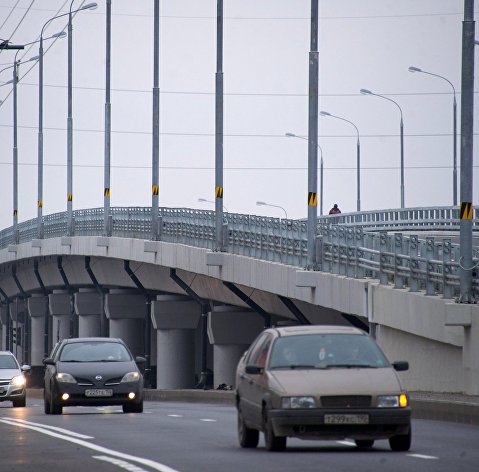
point(77, 396)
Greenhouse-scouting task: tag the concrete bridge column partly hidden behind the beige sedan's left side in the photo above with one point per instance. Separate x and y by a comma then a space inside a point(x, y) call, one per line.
point(231, 330)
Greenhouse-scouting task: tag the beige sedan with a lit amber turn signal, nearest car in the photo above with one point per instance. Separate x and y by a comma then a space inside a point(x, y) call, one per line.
point(320, 382)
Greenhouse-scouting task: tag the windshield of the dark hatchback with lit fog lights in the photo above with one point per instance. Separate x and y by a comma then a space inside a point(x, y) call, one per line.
point(94, 351)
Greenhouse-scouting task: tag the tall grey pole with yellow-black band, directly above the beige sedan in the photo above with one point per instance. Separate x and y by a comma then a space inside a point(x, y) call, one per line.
point(313, 137)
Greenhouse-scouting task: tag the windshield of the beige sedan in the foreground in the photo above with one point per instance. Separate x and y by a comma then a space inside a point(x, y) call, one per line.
point(325, 351)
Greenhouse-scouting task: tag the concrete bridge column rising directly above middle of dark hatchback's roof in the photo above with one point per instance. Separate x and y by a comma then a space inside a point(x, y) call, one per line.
point(88, 308)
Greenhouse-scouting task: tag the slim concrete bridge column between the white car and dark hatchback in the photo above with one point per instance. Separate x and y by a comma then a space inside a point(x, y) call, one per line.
point(37, 309)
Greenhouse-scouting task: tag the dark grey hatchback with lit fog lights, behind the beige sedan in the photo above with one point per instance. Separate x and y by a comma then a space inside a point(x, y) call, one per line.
point(92, 372)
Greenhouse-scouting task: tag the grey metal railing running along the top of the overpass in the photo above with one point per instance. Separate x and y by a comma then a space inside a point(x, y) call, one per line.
point(383, 245)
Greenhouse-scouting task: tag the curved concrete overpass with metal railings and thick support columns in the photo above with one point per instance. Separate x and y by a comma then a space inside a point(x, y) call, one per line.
point(192, 311)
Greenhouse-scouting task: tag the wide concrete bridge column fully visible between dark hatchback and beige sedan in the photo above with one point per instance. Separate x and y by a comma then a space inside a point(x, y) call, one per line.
point(175, 318)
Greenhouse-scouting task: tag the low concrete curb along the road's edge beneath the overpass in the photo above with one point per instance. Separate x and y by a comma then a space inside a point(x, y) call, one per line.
point(438, 410)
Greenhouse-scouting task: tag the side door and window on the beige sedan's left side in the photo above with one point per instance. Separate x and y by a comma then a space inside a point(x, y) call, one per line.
point(255, 384)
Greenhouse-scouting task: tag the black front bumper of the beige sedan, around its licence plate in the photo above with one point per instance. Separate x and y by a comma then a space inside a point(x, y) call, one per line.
point(383, 423)
